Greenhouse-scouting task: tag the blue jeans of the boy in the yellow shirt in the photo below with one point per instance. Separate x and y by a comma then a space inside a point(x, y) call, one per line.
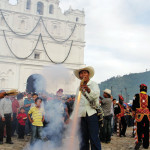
point(36, 133)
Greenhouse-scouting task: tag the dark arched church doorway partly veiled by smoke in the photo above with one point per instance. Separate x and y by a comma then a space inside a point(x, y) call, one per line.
point(36, 83)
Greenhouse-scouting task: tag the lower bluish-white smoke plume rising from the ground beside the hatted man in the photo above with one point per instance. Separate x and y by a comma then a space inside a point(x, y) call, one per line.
point(56, 135)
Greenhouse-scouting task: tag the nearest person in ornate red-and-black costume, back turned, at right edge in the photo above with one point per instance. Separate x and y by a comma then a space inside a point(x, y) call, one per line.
point(141, 111)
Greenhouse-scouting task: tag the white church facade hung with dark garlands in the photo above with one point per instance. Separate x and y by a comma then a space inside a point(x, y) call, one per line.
point(36, 34)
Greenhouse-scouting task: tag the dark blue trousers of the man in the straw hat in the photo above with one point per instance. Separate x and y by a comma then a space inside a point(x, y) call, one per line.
point(89, 131)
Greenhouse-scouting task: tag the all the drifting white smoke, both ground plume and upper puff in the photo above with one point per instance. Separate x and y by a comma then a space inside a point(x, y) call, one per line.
point(56, 135)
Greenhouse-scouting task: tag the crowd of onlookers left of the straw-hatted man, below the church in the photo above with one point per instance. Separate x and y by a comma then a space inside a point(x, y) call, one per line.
point(18, 112)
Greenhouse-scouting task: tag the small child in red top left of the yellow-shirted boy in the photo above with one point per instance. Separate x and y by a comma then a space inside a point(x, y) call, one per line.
point(21, 123)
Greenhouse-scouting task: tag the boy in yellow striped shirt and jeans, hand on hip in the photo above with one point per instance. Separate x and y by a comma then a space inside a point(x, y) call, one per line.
point(37, 120)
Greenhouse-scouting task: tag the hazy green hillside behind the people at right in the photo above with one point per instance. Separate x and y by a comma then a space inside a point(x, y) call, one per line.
point(127, 85)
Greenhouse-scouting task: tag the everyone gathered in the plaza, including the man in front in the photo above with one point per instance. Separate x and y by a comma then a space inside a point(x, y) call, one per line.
point(26, 114)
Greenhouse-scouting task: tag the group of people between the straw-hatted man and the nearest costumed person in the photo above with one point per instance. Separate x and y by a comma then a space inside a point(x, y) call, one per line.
point(117, 116)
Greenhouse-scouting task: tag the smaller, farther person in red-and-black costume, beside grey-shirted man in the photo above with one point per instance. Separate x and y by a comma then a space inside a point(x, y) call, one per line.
point(119, 112)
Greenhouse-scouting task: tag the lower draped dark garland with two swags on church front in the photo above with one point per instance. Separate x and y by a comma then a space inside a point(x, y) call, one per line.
point(39, 37)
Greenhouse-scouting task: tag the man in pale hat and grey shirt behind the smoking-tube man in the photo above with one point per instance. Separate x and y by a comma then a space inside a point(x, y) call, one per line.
point(106, 103)
